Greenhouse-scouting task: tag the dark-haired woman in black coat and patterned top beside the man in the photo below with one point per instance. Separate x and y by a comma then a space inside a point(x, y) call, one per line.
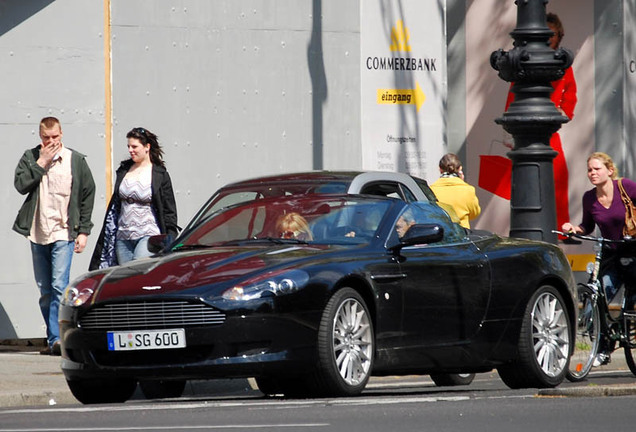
point(142, 204)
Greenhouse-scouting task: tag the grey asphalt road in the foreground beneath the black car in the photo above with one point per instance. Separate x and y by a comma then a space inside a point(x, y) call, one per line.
point(389, 403)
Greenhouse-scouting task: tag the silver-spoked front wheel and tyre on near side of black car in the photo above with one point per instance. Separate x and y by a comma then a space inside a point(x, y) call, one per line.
point(346, 345)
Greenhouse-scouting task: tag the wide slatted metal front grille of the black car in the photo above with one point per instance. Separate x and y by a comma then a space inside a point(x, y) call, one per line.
point(149, 315)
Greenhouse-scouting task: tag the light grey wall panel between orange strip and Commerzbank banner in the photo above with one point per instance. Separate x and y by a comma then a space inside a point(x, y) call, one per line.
point(238, 88)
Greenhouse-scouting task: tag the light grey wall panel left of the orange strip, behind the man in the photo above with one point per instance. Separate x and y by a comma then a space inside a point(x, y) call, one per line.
point(52, 64)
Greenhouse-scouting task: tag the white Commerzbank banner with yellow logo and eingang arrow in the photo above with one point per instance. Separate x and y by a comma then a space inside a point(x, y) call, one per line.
point(403, 86)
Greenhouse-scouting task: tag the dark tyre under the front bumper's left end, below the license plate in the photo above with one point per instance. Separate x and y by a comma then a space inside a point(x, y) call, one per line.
point(102, 391)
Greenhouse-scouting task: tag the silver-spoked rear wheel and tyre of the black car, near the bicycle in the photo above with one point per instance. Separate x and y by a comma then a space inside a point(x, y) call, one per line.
point(543, 345)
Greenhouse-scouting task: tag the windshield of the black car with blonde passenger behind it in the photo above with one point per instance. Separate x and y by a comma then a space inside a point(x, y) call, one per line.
point(326, 219)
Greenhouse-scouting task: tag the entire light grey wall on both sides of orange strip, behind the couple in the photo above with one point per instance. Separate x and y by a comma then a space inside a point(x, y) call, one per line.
point(233, 89)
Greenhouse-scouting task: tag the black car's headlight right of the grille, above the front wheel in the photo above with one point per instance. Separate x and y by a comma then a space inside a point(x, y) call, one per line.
point(271, 284)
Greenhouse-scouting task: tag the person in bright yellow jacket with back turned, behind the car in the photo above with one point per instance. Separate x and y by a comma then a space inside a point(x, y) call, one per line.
point(452, 190)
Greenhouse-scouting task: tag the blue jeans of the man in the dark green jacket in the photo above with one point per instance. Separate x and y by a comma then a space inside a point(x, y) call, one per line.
point(52, 267)
